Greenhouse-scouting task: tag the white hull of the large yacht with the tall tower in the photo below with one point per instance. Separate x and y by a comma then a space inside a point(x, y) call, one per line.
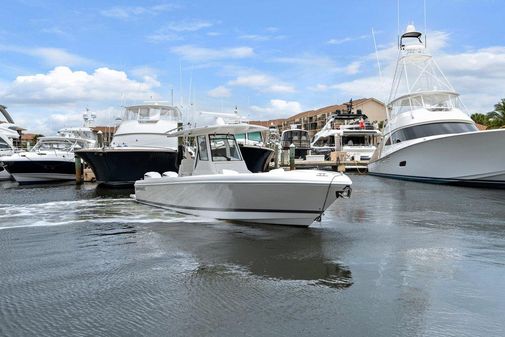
point(473, 158)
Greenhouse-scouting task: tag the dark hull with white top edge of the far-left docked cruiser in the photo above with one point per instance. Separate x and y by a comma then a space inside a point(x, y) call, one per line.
point(35, 171)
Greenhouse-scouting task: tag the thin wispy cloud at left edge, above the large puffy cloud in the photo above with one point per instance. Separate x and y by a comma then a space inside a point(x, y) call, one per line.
point(50, 56)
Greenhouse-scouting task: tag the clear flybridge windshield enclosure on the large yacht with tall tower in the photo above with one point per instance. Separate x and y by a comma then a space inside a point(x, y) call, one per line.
point(433, 101)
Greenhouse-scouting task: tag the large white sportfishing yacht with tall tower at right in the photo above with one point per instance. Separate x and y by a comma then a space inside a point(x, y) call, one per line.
point(428, 137)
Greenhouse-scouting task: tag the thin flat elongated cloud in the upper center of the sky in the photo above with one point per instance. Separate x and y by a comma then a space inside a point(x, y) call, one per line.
point(195, 53)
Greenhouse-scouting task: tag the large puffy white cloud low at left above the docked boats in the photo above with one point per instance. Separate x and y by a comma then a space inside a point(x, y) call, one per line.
point(62, 85)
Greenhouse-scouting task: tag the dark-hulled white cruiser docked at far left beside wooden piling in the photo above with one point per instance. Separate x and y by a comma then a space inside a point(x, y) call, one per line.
point(51, 159)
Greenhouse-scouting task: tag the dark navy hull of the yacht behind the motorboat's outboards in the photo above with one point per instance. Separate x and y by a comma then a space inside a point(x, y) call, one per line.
point(121, 167)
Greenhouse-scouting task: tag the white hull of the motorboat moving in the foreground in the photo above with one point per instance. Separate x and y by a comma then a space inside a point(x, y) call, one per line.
point(289, 198)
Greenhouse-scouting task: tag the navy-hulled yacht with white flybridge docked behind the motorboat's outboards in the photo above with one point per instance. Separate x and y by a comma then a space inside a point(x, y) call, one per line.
point(139, 145)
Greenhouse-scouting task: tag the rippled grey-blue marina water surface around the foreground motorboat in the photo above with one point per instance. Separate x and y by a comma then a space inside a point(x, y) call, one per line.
point(397, 259)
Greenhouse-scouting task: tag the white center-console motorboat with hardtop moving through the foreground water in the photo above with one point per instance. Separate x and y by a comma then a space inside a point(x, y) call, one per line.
point(217, 184)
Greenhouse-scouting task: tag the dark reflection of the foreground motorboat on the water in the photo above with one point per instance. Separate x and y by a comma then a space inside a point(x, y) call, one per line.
point(280, 253)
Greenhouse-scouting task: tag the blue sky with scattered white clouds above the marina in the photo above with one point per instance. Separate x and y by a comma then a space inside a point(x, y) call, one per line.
point(270, 59)
